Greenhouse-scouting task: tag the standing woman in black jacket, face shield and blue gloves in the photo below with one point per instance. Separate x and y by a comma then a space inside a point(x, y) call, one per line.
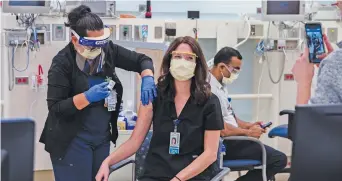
point(84, 97)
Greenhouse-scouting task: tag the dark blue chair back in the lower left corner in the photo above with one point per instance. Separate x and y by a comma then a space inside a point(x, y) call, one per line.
point(17, 147)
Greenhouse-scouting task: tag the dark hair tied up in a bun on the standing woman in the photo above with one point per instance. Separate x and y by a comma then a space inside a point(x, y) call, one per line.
point(82, 19)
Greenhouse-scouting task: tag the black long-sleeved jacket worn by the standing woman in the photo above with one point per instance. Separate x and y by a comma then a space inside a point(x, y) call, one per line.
point(65, 80)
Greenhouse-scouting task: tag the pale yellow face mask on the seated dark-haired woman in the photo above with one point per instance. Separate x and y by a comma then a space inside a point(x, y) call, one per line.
point(182, 69)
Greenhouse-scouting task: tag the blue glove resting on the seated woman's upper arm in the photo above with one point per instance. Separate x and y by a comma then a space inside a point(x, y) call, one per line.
point(148, 90)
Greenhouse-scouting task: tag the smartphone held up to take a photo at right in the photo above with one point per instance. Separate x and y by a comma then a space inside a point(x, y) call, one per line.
point(314, 41)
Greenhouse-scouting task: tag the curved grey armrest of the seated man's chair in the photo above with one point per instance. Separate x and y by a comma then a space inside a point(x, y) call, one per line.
point(246, 138)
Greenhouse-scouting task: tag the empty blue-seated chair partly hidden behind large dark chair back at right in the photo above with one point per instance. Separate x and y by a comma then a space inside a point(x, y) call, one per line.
point(285, 130)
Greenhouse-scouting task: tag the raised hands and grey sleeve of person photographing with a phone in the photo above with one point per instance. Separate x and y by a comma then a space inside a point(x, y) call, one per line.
point(329, 79)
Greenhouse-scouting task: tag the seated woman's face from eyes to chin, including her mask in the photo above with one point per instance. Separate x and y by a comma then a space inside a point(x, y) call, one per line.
point(182, 65)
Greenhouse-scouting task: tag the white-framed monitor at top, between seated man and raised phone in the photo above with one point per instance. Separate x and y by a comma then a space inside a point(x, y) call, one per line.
point(280, 10)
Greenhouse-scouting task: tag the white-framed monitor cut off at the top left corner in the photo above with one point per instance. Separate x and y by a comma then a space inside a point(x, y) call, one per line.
point(35, 6)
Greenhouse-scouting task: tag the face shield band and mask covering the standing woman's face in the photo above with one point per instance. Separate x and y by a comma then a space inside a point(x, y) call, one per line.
point(91, 46)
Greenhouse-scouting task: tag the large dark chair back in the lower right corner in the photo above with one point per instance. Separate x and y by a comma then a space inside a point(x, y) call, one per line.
point(317, 145)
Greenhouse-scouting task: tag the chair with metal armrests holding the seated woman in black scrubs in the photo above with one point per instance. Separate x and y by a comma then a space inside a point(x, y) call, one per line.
point(138, 162)
